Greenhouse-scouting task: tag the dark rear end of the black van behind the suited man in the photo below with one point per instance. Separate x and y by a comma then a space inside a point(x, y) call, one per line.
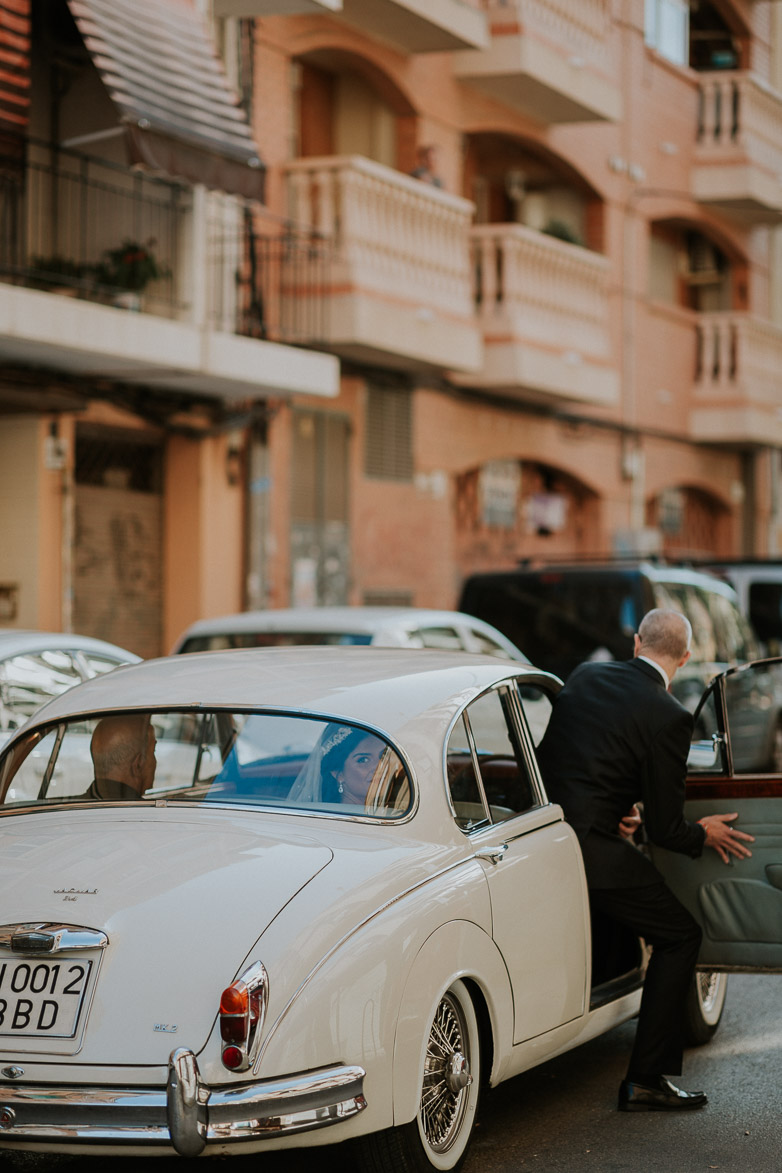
point(560, 619)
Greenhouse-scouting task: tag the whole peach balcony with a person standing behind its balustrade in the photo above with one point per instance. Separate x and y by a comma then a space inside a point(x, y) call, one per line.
point(400, 291)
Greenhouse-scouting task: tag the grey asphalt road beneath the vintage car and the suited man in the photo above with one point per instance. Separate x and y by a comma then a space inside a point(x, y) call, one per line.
point(562, 1118)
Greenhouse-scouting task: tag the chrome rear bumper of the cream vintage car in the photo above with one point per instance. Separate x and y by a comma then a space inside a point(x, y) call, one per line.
point(188, 1116)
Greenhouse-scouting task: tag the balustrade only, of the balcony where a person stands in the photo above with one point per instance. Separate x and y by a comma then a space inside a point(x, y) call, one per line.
point(393, 236)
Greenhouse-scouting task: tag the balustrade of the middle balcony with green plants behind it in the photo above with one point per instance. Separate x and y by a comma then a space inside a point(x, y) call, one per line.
point(541, 290)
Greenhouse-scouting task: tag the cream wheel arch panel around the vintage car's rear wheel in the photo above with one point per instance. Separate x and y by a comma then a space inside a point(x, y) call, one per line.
point(457, 951)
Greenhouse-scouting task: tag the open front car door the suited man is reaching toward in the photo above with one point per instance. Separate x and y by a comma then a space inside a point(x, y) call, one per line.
point(736, 764)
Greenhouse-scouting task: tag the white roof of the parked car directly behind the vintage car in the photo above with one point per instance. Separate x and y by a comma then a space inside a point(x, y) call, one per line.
point(359, 620)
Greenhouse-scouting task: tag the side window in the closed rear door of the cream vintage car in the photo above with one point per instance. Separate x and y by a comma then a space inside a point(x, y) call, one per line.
point(487, 772)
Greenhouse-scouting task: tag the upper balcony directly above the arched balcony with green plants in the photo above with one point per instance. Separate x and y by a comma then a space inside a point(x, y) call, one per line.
point(553, 60)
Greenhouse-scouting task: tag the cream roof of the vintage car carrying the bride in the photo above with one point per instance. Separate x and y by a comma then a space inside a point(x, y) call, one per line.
point(385, 688)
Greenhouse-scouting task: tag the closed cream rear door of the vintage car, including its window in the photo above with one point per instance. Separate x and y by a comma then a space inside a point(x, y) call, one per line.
point(531, 859)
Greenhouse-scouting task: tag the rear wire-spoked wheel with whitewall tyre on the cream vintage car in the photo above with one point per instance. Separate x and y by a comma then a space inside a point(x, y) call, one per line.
point(439, 1136)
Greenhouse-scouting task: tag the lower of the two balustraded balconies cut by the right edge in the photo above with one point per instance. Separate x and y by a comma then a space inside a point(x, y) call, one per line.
point(737, 391)
